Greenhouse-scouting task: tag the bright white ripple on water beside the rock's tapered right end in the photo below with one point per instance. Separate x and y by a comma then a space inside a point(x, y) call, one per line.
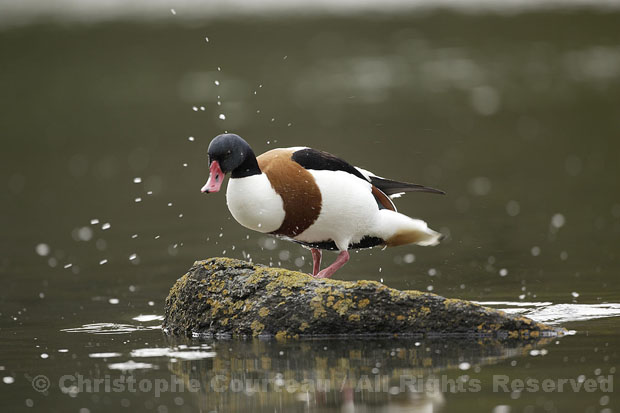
point(549, 313)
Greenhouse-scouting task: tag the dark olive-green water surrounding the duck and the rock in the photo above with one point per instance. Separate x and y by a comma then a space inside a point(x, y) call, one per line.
point(514, 116)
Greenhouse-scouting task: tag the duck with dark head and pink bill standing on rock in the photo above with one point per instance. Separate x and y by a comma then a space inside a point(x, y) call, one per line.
point(313, 198)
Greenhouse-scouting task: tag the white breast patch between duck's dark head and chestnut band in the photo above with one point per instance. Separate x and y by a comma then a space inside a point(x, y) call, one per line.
point(254, 203)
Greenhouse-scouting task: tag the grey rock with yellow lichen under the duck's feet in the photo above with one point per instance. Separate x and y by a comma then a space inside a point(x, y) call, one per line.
point(229, 297)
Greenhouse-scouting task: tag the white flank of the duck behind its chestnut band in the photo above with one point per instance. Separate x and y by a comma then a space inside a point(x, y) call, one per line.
point(348, 209)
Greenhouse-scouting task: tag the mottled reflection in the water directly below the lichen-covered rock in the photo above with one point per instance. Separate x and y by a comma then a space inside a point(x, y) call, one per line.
point(354, 375)
